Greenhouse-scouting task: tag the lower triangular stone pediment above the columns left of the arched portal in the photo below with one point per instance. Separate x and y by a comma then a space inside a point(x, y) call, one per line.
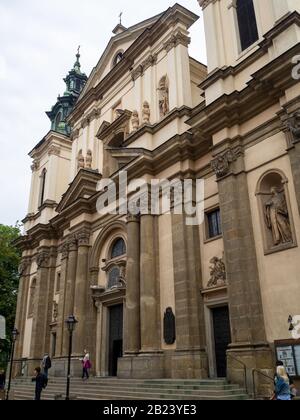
point(83, 186)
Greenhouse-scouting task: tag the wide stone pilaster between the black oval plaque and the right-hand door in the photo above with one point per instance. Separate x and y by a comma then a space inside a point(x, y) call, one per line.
point(191, 358)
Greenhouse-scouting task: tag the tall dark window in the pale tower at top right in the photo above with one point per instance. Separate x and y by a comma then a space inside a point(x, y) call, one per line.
point(247, 23)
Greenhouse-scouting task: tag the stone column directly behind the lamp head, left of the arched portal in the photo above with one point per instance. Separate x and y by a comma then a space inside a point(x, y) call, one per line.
point(70, 289)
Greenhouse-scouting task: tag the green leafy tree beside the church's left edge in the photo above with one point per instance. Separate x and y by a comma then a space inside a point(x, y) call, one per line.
point(10, 258)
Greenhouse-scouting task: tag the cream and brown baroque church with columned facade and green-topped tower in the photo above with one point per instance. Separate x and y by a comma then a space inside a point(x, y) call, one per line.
point(153, 296)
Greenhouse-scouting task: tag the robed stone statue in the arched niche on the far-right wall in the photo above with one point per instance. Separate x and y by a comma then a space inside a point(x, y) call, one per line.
point(277, 217)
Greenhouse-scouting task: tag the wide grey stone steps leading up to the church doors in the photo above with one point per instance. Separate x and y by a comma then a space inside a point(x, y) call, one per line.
point(117, 389)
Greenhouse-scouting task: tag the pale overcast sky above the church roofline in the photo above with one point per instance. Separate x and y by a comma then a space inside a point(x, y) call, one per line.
point(38, 42)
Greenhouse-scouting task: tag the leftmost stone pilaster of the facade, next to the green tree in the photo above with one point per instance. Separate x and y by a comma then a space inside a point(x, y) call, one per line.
point(21, 314)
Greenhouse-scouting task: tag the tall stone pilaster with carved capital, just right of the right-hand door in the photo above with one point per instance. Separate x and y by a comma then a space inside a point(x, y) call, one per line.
point(245, 303)
